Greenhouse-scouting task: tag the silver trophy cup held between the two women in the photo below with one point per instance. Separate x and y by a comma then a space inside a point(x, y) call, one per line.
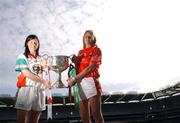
point(59, 63)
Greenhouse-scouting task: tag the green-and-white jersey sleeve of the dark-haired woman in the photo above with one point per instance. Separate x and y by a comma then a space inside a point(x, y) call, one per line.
point(21, 63)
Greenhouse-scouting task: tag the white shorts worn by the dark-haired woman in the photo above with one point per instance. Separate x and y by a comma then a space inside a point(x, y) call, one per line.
point(30, 98)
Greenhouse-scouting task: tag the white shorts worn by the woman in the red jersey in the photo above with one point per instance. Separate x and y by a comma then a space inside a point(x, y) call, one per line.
point(87, 88)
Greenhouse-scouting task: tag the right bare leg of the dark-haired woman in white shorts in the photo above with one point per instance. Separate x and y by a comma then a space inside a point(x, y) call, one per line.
point(34, 116)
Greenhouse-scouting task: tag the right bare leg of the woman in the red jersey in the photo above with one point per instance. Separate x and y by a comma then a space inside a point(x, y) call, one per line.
point(95, 104)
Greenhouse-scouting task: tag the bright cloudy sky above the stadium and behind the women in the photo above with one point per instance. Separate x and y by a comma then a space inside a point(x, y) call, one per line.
point(139, 39)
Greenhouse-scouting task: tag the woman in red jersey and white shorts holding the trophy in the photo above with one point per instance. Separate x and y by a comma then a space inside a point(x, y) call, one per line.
point(87, 64)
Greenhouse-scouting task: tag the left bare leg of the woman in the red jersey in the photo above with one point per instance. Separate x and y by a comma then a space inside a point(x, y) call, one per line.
point(84, 111)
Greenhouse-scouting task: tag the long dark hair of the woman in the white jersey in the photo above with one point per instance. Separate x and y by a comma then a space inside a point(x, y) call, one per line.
point(31, 37)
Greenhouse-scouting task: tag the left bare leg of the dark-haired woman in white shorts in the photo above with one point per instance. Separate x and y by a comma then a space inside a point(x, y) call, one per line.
point(22, 116)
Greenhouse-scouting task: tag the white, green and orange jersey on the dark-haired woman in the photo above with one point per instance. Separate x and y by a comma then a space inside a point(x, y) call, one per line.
point(32, 64)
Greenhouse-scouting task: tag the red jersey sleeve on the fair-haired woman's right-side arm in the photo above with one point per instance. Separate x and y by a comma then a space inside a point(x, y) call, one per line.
point(96, 57)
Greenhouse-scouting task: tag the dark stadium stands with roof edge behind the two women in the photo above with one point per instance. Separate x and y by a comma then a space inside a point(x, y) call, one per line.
point(156, 107)
